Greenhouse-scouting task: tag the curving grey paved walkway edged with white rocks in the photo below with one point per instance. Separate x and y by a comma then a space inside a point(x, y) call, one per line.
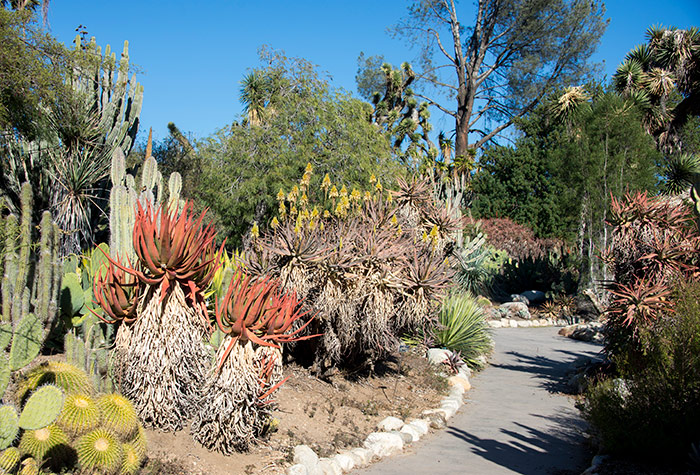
point(514, 419)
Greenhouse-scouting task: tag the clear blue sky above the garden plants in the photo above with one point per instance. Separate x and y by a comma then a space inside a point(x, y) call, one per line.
point(192, 55)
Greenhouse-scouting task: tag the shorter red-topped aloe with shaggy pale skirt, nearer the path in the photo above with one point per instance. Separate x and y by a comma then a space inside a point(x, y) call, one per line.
point(256, 318)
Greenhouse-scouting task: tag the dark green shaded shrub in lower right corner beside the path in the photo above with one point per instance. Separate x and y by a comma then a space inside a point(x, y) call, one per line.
point(657, 413)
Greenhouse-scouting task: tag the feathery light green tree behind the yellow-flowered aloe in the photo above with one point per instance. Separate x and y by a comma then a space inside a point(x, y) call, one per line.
point(302, 119)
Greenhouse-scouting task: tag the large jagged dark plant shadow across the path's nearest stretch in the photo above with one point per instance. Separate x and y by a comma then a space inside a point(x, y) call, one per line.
point(529, 451)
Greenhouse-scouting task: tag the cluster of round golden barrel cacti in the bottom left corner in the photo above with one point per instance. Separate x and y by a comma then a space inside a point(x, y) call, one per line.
point(88, 433)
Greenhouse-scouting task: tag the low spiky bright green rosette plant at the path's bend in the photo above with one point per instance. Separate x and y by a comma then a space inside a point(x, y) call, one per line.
point(461, 327)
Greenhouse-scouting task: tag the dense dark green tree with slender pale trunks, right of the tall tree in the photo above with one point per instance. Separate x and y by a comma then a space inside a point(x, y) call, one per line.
point(559, 177)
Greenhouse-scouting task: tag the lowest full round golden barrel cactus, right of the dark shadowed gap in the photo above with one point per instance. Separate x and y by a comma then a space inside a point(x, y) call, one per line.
point(99, 451)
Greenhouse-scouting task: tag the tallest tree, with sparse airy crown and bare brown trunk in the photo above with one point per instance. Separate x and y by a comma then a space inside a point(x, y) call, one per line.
point(498, 69)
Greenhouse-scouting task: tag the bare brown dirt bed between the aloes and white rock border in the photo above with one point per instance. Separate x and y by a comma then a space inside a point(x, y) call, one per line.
point(327, 416)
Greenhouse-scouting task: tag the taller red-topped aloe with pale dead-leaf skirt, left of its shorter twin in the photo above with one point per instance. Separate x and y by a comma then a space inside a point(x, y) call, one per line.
point(160, 358)
